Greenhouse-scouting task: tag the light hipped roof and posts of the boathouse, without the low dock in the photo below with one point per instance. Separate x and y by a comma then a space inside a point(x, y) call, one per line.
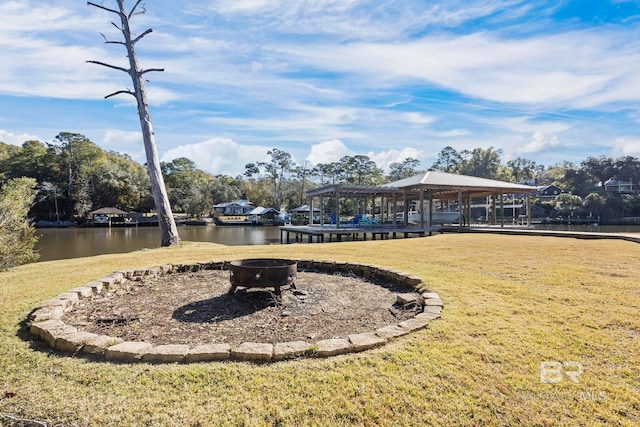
point(424, 189)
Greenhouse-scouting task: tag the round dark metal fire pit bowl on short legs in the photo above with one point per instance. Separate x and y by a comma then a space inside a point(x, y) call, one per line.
point(263, 273)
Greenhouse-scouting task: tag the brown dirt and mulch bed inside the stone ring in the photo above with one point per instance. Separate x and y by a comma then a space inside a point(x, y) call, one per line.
point(193, 308)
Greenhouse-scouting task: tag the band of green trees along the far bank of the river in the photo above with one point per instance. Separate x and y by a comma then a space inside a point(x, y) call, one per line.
point(74, 176)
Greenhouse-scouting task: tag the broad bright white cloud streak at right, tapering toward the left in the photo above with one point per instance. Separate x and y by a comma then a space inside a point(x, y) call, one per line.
point(571, 68)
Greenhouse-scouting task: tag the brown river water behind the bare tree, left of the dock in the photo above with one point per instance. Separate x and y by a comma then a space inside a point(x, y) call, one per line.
point(63, 243)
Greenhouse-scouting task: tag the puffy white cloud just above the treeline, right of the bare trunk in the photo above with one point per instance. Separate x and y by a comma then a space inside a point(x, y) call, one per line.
point(219, 155)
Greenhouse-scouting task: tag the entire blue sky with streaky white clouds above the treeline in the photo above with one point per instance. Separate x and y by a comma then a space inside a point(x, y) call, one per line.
point(551, 81)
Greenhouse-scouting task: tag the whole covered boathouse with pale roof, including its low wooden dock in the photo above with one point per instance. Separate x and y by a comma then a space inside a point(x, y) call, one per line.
point(410, 206)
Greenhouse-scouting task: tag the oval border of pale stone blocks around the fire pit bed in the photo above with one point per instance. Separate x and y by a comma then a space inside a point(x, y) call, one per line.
point(46, 322)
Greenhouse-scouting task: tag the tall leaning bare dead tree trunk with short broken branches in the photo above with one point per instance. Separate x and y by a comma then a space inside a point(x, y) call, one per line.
point(165, 216)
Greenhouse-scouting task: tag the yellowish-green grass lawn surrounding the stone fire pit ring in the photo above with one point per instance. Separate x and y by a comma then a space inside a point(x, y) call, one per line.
point(511, 302)
